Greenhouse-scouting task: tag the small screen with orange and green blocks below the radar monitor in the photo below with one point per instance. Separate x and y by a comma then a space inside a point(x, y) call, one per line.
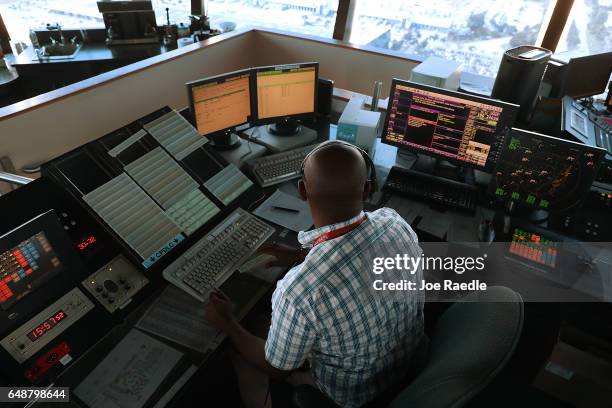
point(534, 247)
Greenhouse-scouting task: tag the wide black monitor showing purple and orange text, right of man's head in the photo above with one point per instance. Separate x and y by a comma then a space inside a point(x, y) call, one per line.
point(460, 128)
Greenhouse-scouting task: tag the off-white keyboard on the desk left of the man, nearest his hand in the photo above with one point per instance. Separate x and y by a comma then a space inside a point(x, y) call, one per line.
point(213, 259)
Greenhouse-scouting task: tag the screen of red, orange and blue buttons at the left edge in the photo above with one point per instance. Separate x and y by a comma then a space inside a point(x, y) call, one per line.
point(24, 264)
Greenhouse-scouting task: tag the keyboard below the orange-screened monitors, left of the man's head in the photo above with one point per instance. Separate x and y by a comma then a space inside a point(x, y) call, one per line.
point(279, 167)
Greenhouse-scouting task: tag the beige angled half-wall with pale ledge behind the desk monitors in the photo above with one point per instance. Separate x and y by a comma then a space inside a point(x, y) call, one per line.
point(89, 109)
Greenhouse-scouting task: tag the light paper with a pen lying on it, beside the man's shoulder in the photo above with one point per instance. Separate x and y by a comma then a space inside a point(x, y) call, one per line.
point(287, 211)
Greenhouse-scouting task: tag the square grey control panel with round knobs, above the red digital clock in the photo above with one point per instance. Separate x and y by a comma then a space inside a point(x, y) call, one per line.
point(115, 283)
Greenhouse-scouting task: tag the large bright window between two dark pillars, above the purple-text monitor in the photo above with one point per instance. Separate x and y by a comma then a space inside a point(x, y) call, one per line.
point(473, 32)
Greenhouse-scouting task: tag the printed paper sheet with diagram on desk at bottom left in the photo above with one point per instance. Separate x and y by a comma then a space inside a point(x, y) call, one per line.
point(130, 374)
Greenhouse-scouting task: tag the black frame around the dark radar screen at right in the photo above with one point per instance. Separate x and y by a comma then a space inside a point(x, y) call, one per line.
point(580, 146)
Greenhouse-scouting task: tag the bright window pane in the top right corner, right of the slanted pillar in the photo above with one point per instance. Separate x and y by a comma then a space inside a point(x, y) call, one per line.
point(588, 29)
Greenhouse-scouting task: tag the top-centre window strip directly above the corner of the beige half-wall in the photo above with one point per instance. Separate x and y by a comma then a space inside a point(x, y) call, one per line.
point(315, 17)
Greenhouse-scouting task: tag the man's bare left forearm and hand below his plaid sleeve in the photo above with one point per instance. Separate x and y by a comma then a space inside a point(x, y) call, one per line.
point(251, 347)
